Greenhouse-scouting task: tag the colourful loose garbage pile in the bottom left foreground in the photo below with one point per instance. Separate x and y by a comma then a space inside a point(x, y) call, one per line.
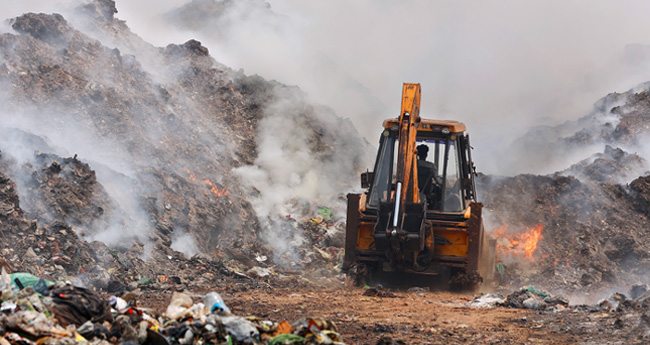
point(37, 311)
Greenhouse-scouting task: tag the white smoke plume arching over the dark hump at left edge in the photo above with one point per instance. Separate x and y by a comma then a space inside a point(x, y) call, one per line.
point(65, 138)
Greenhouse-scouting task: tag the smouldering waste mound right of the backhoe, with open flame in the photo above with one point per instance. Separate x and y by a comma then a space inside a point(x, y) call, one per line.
point(584, 228)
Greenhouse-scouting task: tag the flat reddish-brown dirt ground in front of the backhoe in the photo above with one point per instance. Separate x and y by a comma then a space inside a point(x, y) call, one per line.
point(441, 317)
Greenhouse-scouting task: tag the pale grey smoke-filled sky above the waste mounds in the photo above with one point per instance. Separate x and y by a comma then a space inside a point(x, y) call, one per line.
point(499, 66)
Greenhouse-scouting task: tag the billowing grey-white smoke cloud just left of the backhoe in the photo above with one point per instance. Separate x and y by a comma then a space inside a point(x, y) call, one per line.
point(299, 165)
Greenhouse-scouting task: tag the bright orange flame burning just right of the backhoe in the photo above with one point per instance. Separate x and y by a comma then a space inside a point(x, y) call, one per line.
point(519, 244)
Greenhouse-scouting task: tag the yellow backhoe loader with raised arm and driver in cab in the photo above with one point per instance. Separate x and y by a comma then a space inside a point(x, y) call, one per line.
point(419, 212)
